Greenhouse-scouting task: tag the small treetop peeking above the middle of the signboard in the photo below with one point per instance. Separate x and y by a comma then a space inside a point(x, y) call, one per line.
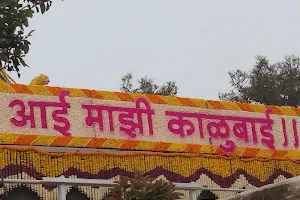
point(147, 86)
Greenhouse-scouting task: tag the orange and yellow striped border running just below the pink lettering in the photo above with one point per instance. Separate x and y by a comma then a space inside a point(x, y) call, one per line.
point(187, 150)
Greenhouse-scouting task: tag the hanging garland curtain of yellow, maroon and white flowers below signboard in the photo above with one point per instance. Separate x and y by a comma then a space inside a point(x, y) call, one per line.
point(209, 170)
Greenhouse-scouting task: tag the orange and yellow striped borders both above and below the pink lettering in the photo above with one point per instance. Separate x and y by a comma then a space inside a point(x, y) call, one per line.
point(44, 140)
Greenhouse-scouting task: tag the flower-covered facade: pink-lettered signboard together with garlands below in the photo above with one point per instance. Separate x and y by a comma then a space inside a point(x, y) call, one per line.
point(217, 144)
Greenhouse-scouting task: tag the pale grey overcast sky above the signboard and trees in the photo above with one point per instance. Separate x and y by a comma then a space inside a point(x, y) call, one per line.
point(92, 43)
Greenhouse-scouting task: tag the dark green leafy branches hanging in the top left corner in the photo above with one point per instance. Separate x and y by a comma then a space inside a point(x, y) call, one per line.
point(14, 43)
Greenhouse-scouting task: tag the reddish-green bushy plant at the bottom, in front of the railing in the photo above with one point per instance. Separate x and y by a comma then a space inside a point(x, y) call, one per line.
point(142, 188)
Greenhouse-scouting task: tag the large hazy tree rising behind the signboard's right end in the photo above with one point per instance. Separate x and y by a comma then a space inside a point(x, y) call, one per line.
point(267, 83)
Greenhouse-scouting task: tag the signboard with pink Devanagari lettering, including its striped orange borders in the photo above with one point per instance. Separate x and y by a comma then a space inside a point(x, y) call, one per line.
point(53, 116)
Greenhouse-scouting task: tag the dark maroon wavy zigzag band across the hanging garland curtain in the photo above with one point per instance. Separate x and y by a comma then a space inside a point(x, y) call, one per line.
point(223, 182)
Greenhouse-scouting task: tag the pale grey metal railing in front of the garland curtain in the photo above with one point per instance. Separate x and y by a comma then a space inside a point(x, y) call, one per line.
point(61, 182)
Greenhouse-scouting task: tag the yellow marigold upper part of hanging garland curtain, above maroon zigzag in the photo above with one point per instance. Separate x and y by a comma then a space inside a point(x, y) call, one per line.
point(180, 165)
